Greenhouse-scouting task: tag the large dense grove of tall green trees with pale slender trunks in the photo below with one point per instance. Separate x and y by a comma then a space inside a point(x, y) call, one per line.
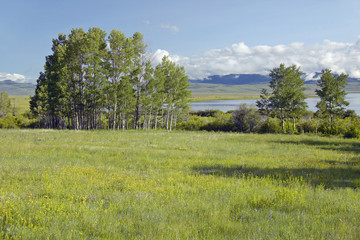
point(95, 81)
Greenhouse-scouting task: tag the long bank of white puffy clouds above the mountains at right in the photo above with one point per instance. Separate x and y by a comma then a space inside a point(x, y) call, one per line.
point(240, 58)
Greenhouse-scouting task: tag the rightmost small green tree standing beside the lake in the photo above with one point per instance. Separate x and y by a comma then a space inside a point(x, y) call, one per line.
point(332, 95)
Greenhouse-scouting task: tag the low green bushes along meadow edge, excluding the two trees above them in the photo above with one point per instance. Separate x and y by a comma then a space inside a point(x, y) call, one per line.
point(248, 119)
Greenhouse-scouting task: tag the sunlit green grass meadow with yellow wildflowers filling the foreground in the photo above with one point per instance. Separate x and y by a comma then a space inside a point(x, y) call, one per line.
point(178, 185)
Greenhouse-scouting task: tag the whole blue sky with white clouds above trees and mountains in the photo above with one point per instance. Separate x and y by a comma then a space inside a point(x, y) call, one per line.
point(206, 37)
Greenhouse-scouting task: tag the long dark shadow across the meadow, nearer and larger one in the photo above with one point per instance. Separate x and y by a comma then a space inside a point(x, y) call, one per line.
point(329, 177)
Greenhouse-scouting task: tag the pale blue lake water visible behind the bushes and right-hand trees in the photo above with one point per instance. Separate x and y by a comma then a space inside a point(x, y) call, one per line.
point(226, 105)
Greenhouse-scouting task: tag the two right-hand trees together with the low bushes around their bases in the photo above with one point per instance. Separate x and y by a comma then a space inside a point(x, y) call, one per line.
point(282, 109)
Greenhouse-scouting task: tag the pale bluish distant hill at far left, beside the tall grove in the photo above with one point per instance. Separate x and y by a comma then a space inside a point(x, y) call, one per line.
point(17, 89)
